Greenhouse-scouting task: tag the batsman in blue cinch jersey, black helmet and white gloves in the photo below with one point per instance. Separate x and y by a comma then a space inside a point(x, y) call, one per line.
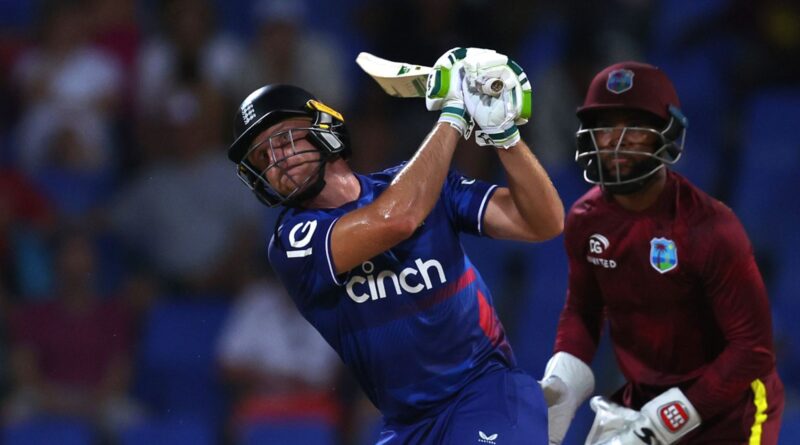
point(374, 261)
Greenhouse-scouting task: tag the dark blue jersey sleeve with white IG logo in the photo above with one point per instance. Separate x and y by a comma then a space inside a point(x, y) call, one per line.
point(300, 254)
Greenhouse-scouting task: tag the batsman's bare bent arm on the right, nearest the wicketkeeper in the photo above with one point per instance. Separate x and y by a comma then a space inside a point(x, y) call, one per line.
point(529, 209)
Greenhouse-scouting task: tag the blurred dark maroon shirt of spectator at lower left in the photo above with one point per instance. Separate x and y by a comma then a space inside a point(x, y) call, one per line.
point(74, 349)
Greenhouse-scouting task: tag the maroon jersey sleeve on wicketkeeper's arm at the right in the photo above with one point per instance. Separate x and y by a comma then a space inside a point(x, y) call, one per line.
point(739, 302)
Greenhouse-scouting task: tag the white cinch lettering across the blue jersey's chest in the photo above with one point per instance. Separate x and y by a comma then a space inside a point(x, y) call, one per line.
point(412, 280)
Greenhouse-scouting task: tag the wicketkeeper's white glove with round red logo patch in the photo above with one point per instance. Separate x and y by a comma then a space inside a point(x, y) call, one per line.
point(661, 421)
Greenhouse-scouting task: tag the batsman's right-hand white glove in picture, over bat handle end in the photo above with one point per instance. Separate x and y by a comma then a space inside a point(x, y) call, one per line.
point(497, 116)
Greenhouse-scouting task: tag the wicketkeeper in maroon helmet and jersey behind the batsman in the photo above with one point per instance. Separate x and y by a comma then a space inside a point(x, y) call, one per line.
point(672, 272)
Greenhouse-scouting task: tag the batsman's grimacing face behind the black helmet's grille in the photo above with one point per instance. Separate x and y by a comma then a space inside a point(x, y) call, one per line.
point(285, 156)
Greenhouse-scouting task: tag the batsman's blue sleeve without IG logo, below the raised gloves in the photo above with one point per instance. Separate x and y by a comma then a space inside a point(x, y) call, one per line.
point(466, 200)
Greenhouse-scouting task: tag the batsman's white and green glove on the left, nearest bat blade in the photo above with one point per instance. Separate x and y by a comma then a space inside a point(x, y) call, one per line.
point(443, 89)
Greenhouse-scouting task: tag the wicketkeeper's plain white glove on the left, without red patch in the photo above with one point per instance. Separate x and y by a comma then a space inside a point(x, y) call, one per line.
point(566, 384)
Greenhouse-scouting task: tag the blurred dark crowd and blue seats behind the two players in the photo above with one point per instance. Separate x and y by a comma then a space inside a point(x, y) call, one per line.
point(136, 303)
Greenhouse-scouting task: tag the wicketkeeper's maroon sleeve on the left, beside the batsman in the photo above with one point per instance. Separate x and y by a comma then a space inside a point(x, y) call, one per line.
point(581, 319)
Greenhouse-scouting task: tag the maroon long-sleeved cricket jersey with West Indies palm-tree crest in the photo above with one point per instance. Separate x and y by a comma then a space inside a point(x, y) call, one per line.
point(680, 288)
